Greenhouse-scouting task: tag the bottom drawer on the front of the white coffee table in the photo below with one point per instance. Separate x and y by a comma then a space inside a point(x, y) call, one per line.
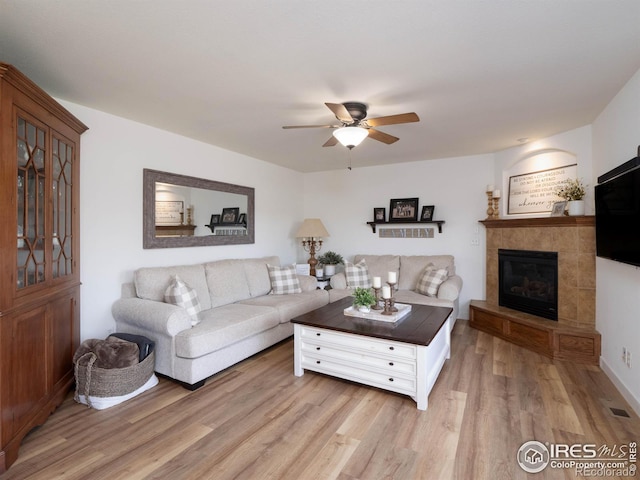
point(395, 383)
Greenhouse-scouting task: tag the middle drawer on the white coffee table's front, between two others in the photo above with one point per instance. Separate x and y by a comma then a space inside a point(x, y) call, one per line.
point(391, 365)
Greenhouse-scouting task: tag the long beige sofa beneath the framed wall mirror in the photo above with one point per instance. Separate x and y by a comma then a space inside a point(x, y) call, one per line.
point(238, 318)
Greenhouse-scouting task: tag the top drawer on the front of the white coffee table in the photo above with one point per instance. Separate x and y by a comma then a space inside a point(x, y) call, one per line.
point(317, 336)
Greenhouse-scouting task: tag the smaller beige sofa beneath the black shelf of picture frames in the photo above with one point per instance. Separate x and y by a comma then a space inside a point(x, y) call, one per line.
point(409, 269)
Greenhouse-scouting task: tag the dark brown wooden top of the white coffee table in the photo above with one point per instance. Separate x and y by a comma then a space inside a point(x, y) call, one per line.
point(418, 327)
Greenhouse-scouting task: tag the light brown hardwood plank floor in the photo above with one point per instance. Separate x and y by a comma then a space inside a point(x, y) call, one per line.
point(257, 420)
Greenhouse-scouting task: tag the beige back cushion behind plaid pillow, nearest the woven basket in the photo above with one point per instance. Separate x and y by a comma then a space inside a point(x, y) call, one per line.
point(152, 282)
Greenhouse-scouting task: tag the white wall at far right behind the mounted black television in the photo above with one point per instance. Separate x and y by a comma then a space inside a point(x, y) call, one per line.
point(615, 140)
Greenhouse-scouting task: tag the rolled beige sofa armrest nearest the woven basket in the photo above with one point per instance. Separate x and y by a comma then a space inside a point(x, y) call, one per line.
point(163, 318)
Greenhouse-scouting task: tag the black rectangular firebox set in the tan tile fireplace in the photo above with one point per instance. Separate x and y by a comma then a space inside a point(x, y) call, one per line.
point(528, 282)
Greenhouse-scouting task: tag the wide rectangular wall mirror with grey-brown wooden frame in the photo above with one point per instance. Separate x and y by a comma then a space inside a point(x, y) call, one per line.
point(183, 211)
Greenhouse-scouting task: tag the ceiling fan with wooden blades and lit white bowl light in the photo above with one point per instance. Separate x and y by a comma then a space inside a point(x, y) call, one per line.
point(355, 126)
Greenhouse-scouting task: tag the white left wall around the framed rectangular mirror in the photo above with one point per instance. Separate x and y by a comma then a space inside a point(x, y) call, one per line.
point(114, 151)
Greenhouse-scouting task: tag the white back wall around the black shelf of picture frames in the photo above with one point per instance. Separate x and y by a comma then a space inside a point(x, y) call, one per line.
point(345, 200)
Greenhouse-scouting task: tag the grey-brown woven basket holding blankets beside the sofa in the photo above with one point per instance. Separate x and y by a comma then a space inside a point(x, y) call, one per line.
point(111, 382)
